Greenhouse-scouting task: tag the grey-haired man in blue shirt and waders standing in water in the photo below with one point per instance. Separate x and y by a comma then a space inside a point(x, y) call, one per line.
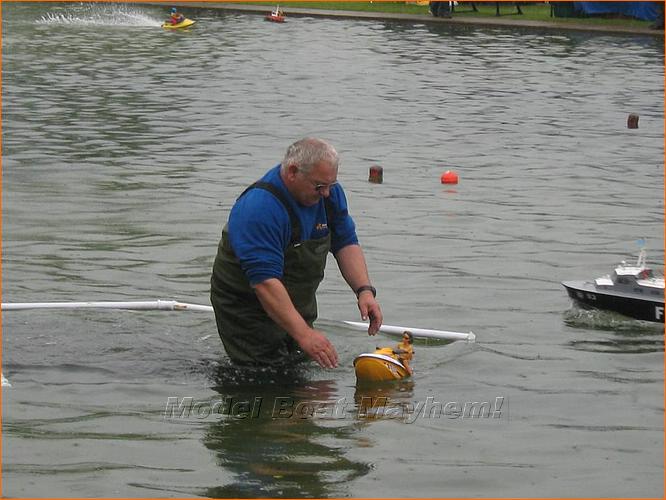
point(271, 259)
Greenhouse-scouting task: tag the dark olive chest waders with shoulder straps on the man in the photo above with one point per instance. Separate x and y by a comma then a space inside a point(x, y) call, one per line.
point(249, 335)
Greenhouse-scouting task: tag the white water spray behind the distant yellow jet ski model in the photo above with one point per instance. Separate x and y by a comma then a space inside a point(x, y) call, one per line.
point(100, 15)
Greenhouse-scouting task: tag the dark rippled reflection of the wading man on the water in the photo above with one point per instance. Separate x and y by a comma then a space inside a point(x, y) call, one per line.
point(294, 441)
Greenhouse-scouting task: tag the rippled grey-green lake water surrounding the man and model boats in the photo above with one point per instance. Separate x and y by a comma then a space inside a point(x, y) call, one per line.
point(124, 147)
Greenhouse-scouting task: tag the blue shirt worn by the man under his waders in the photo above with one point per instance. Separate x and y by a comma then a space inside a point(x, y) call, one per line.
point(260, 230)
